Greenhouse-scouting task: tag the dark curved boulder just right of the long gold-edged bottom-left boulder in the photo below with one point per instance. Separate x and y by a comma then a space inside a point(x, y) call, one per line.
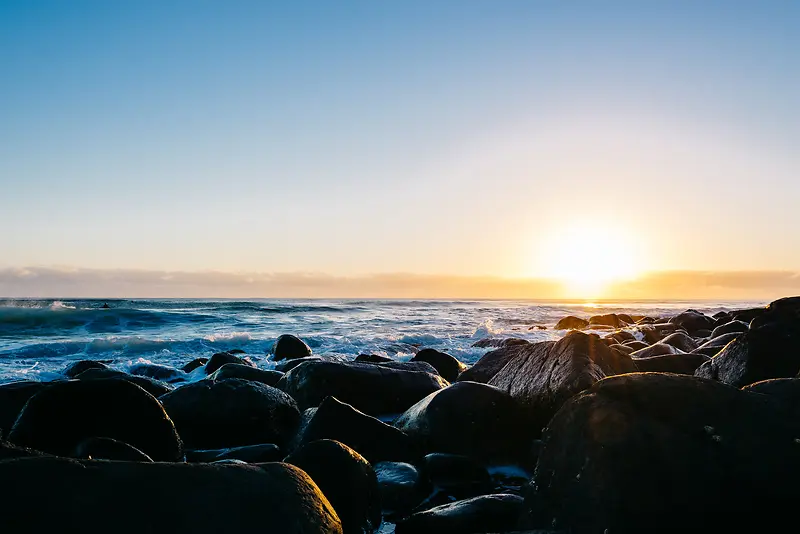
point(346, 479)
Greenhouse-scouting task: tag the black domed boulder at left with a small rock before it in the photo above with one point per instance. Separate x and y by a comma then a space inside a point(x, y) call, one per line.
point(60, 416)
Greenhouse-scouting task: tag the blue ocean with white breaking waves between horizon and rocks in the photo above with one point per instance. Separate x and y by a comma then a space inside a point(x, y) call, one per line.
point(39, 337)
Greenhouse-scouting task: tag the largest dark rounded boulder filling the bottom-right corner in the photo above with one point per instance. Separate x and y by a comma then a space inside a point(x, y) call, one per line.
point(652, 452)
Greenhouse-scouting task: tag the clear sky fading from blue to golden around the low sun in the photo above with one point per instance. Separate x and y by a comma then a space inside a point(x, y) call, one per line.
point(362, 140)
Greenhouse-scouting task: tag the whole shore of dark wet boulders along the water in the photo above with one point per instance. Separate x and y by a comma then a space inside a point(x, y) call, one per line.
point(687, 423)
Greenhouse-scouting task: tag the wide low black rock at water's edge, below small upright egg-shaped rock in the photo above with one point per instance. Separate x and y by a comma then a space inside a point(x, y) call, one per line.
point(373, 389)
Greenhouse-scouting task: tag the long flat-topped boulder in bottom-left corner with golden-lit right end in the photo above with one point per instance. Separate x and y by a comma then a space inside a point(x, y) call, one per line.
point(196, 498)
